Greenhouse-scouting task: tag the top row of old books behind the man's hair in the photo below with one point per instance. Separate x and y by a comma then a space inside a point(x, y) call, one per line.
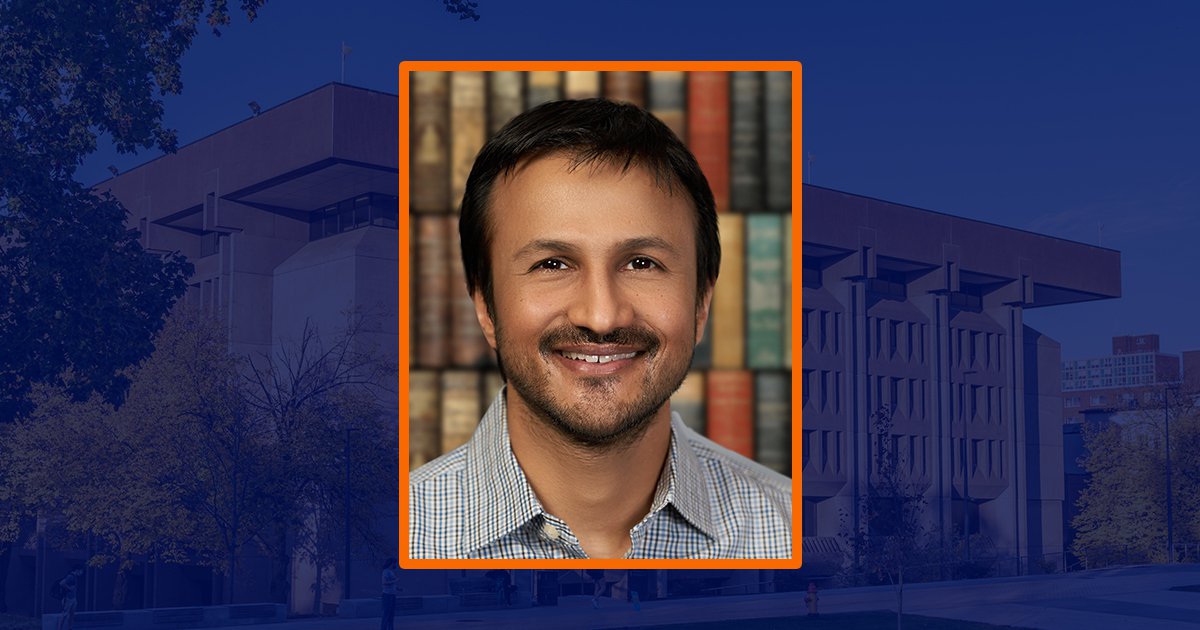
point(737, 124)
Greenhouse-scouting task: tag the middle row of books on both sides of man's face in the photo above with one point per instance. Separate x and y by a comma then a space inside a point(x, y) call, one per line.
point(751, 320)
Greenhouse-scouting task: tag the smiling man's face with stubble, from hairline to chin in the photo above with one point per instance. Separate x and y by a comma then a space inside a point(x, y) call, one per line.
point(595, 277)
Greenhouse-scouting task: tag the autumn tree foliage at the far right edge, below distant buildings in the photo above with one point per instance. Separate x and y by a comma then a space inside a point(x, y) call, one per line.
point(1123, 511)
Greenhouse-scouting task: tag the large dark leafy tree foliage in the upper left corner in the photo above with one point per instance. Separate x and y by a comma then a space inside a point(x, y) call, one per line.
point(80, 299)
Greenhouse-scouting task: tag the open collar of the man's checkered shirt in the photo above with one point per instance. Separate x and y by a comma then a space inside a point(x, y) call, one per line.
point(500, 494)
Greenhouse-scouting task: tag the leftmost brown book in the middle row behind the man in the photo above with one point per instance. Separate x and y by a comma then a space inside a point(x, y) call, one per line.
point(433, 291)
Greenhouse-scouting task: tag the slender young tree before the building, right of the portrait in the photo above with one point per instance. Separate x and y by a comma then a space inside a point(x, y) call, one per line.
point(895, 541)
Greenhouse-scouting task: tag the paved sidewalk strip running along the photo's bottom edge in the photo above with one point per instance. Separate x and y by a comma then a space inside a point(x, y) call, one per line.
point(1136, 597)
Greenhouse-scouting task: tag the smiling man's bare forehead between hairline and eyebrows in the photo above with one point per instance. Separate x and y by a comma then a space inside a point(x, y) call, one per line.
point(596, 202)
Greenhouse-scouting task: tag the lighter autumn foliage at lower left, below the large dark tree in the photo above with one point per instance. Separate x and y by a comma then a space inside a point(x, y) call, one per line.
point(195, 467)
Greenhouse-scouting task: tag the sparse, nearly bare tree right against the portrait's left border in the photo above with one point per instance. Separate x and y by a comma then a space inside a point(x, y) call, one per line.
point(319, 394)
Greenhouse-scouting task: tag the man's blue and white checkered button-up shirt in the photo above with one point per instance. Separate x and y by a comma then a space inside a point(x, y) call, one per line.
point(476, 502)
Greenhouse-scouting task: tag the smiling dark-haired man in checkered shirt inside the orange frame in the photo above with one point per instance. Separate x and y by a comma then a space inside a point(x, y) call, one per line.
point(591, 250)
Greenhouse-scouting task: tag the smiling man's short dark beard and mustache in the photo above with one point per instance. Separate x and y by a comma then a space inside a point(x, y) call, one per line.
point(595, 419)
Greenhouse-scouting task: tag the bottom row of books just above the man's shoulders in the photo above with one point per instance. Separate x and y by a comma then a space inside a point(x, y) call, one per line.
point(743, 411)
